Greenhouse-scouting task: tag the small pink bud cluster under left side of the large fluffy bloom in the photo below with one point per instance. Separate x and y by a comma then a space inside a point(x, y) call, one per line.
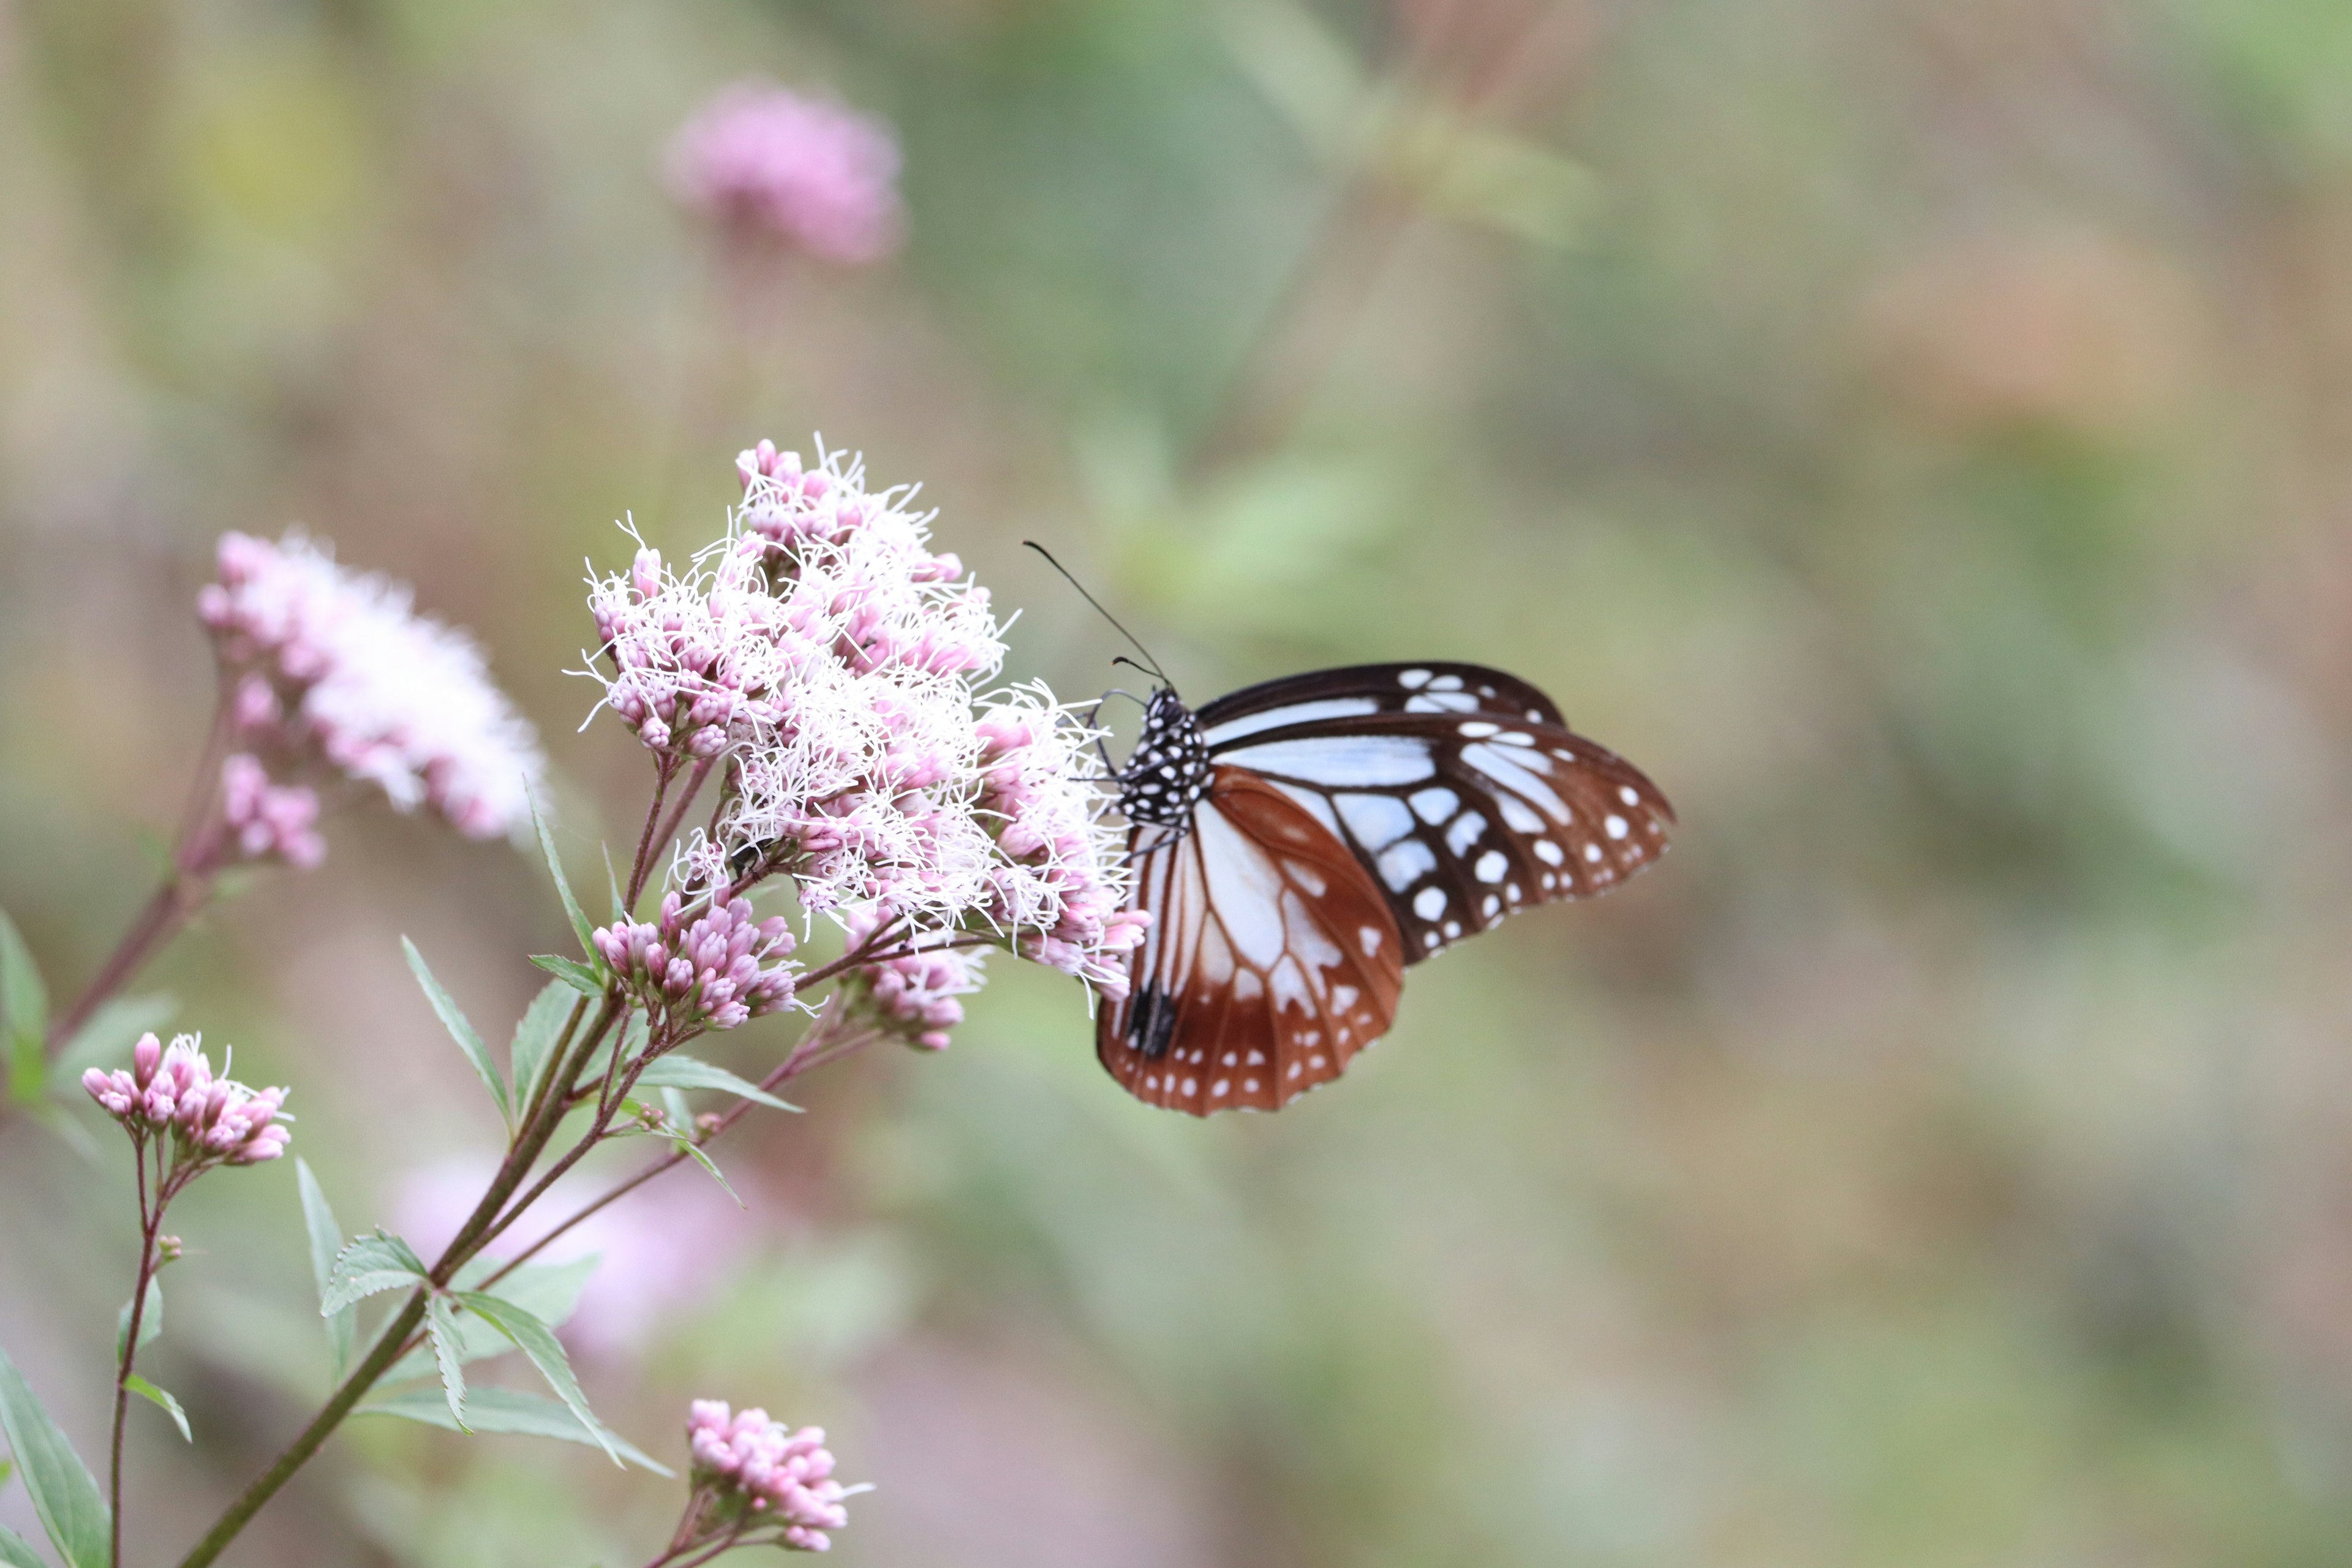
point(716, 970)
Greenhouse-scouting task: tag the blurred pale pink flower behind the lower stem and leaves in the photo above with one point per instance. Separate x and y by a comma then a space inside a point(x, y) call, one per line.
point(664, 1247)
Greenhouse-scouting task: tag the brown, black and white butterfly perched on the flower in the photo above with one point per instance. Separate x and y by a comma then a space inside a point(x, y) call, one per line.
point(1304, 840)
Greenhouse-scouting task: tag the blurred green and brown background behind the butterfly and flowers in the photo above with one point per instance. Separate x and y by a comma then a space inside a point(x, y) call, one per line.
point(1911, 429)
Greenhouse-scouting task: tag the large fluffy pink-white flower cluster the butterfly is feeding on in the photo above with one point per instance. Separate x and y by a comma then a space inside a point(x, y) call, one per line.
point(836, 664)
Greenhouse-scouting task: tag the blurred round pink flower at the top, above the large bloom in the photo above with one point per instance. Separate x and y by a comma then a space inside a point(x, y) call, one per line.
point(806, 170)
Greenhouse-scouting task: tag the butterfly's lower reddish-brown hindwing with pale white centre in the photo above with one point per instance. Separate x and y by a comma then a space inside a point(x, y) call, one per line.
point(1271, 960)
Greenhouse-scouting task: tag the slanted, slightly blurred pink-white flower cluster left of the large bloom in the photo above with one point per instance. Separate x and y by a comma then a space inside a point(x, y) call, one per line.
point(335, 666)
